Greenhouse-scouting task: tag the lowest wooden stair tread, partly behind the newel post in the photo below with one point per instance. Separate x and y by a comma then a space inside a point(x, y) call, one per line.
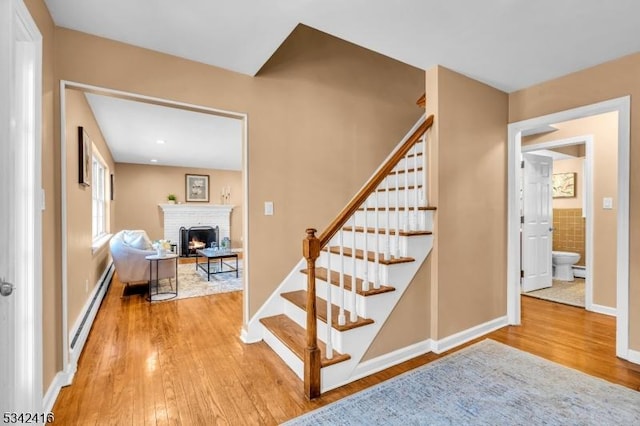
point(294, 337)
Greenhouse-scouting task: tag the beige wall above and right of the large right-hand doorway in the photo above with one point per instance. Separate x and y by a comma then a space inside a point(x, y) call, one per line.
point(603, 82)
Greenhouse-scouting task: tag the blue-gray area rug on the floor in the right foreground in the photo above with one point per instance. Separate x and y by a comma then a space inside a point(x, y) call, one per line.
point(485, 384)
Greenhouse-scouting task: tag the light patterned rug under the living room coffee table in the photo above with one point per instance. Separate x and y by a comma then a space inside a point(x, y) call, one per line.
point(193, 283)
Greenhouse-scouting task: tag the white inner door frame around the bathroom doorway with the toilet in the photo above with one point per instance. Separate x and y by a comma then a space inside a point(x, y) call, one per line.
point(587, 140)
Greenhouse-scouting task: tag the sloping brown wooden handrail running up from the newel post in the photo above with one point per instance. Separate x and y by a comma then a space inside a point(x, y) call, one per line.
point(373, 183)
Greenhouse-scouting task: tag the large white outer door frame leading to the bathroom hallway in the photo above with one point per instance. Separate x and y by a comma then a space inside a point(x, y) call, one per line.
point(623, 107)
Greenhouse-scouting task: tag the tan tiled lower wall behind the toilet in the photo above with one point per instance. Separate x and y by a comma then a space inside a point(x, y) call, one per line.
point(569, 232)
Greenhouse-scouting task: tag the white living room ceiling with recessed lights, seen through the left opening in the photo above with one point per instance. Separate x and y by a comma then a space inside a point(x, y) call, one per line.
point(191, 139)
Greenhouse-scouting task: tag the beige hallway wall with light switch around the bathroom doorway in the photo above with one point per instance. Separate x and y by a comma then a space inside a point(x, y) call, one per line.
point(604, 129)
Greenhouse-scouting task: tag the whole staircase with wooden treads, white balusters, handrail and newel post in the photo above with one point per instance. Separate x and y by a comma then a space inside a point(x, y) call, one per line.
point(324, 316)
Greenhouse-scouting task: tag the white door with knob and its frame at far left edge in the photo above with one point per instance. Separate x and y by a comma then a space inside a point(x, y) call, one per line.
point(20, 215)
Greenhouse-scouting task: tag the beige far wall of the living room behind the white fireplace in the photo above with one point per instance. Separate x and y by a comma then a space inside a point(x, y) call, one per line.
point(140, 188)
